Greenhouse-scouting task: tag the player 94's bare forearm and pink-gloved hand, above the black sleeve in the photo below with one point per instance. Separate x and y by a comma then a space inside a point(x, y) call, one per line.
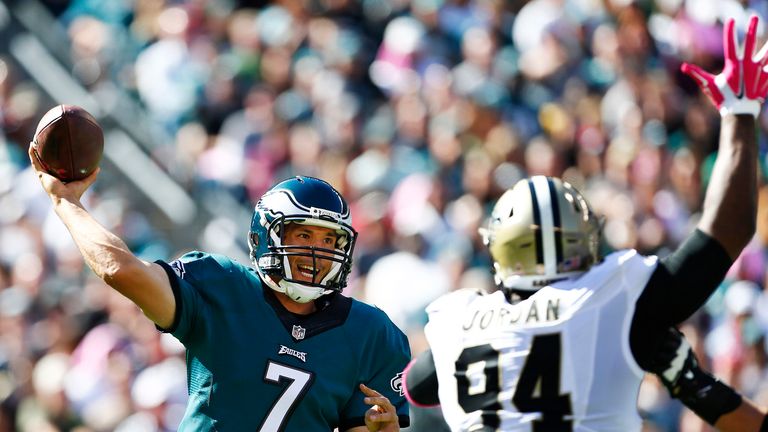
point(738, 92)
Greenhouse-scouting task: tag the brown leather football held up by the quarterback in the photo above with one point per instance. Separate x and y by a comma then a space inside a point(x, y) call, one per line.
point(68, 142)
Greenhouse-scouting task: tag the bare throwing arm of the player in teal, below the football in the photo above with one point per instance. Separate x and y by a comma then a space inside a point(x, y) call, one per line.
point(144, 283)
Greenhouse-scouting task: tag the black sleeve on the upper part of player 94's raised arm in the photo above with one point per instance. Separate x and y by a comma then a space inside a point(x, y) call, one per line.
point(680, 285)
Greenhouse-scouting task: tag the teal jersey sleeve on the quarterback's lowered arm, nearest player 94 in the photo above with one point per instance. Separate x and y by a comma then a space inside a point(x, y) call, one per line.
point(385, 355)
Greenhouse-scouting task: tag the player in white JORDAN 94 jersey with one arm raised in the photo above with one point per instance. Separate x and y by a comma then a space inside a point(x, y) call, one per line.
point(563, 344)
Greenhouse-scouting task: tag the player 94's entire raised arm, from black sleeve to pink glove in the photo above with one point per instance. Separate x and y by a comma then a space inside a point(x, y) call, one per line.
point(685, 279)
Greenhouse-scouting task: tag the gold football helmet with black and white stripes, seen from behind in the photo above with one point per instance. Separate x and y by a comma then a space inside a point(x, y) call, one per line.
point(541, 231)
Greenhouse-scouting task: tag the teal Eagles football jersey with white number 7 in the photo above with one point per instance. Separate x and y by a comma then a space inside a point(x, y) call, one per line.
point(254, 366)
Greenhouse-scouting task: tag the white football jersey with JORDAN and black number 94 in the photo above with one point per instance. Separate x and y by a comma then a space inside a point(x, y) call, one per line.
point(559, 361)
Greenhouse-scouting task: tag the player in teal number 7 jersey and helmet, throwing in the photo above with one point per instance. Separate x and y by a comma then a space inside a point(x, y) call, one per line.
point(272, 347)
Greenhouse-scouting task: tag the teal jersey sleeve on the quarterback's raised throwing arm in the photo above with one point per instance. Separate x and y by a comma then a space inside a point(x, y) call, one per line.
point(192, 277)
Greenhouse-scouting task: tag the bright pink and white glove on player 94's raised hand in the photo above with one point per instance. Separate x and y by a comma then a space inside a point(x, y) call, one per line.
point(742, 86)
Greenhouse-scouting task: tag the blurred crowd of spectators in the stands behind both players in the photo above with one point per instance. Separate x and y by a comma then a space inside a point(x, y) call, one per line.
point(421, 112)
